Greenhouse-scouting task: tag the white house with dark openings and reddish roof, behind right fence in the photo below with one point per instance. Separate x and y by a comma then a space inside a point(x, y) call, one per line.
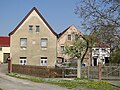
point(100, 53)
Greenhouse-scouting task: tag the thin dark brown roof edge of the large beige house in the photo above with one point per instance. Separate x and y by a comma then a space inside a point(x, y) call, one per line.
point(27, 17)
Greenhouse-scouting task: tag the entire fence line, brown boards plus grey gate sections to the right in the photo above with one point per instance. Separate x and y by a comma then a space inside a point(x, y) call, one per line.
point(108, 72)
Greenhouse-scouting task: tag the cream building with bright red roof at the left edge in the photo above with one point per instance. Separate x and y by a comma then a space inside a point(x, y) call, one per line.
point(4, 48)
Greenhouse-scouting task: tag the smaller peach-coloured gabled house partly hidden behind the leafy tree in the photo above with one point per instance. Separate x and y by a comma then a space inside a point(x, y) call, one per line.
point(68, 37)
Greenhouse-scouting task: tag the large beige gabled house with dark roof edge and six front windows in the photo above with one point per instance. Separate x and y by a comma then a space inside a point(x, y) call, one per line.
point(33, 41)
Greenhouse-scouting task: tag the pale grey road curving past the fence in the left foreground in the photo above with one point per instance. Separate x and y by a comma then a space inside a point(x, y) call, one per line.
point(10, 83)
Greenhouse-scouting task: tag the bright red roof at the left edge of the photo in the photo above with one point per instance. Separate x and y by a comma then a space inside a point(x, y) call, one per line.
point(4, 41)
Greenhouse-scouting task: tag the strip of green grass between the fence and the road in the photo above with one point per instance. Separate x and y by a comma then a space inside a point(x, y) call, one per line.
point(75, 83)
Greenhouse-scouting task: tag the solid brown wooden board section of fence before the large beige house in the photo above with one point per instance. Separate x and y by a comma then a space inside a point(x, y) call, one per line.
point(37, 71)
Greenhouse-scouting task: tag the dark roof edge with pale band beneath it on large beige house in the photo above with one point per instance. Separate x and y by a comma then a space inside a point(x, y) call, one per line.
point(33, 13)
